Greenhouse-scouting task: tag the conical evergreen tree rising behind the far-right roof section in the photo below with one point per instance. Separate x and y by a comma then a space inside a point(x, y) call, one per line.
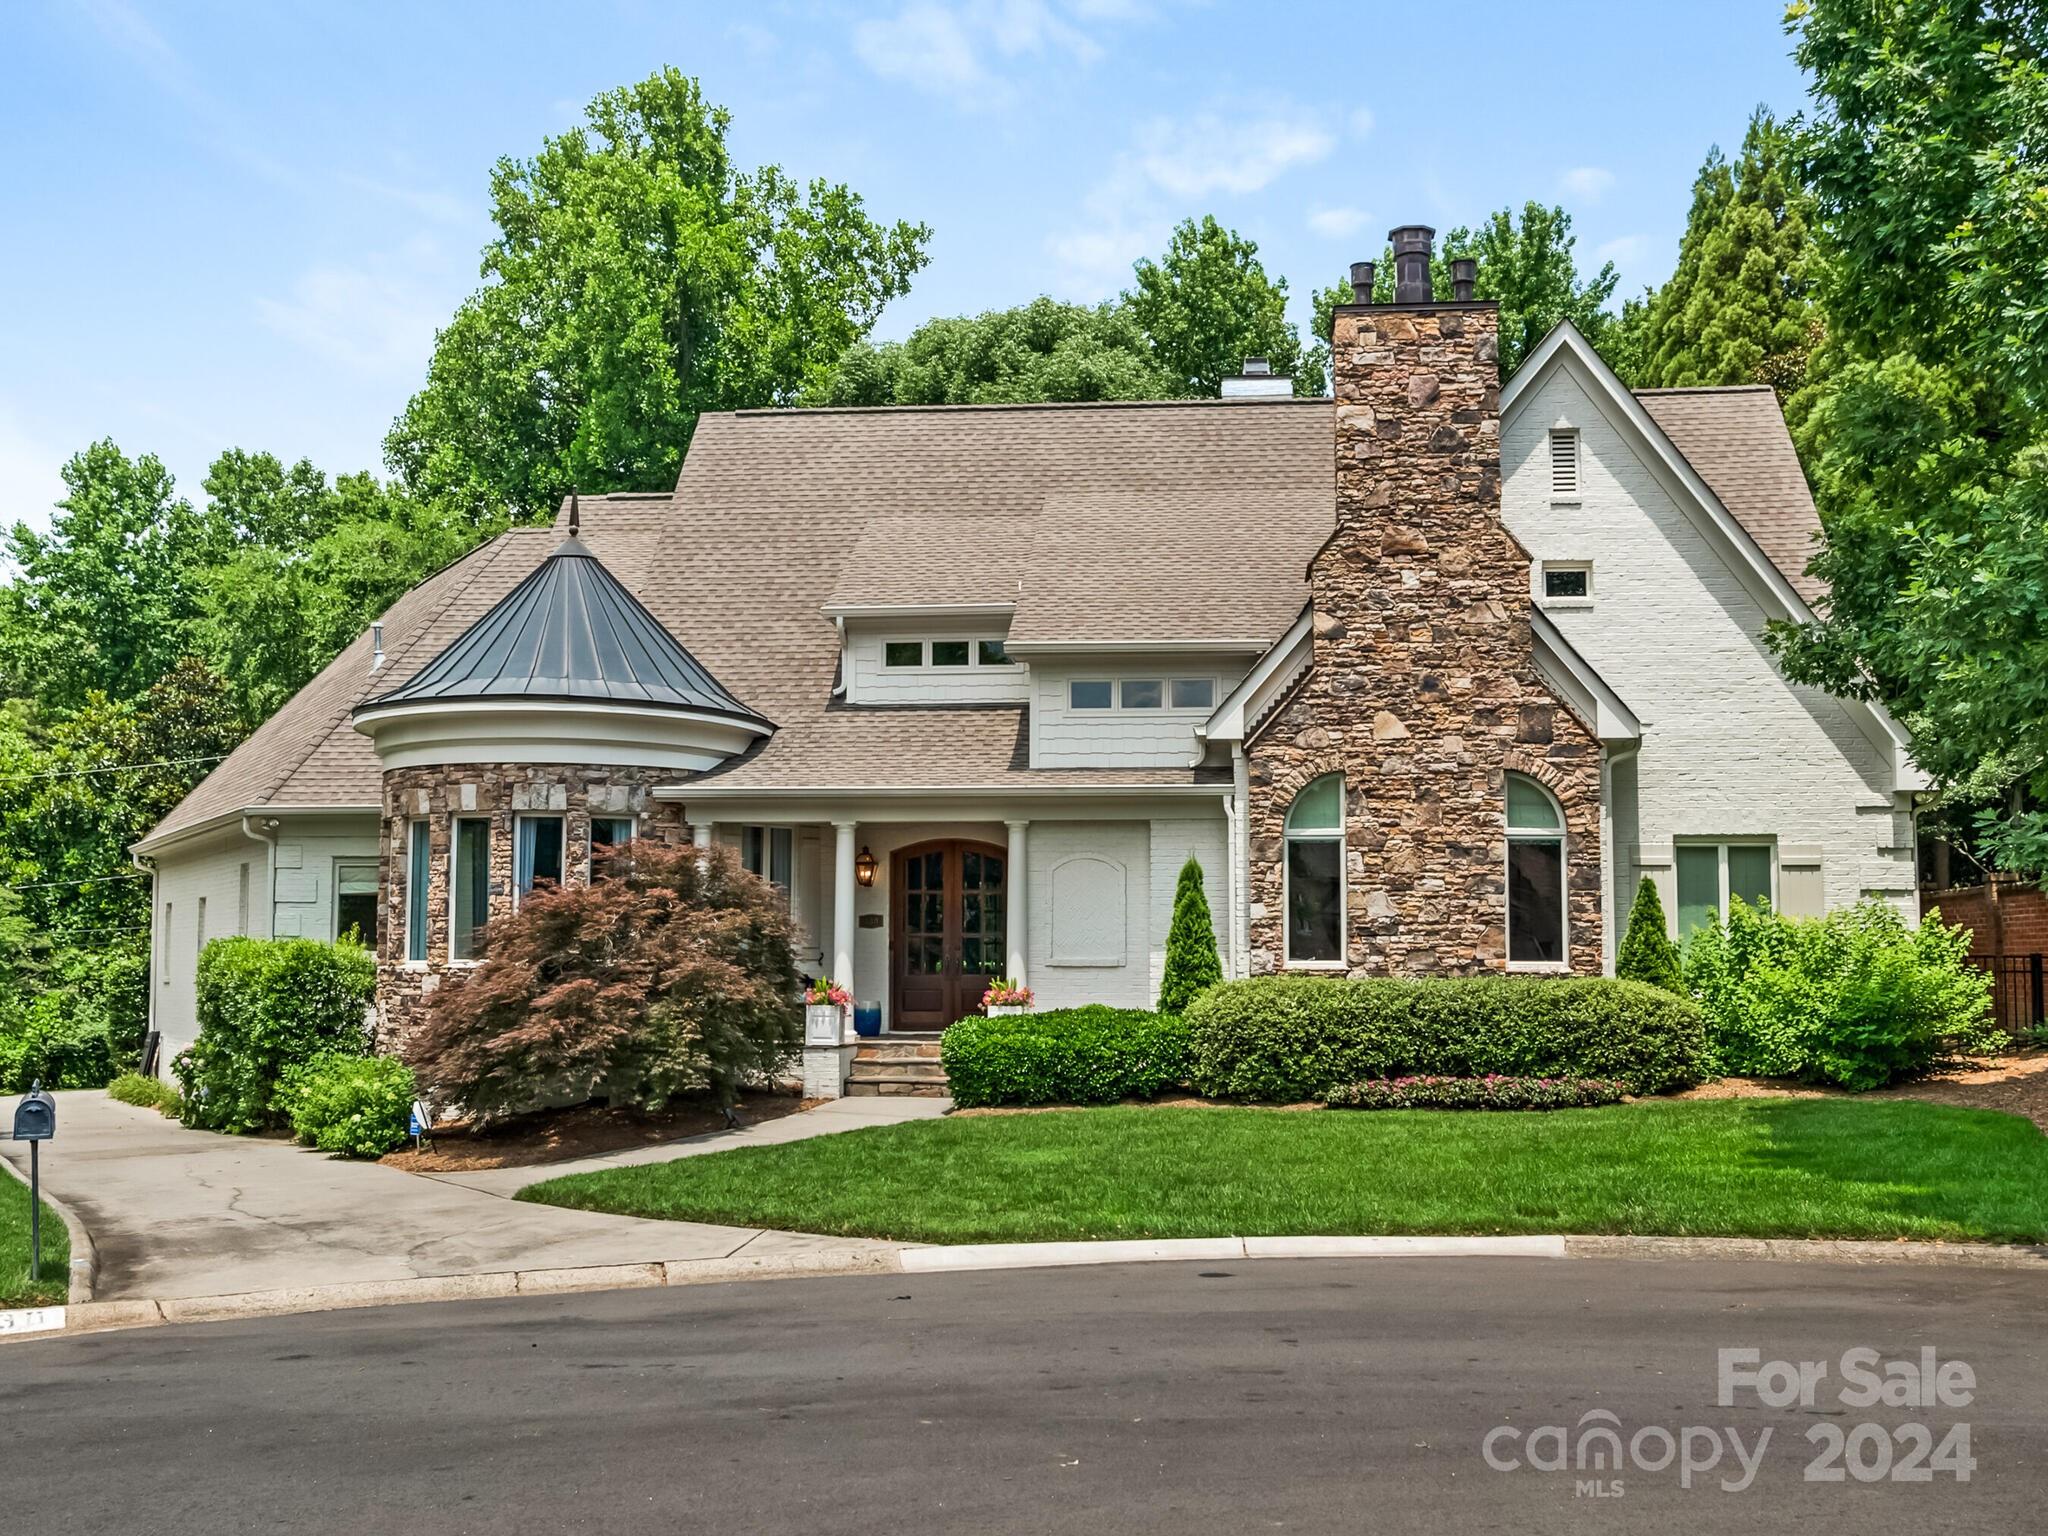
point(1740, 306)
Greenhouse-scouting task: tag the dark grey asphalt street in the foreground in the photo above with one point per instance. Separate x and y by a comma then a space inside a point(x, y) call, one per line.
point(1168, 1398)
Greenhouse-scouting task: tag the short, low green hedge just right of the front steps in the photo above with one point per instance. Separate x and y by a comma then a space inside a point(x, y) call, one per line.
point(1066, 1056)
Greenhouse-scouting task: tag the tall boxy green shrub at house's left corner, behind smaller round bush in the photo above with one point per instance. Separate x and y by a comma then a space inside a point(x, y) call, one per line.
point(267, 1005)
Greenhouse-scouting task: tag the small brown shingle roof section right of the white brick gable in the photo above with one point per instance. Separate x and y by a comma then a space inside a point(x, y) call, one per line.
point(1738, 439)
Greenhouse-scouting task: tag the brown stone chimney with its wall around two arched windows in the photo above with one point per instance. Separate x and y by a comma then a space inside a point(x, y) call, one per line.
point(1424, 689)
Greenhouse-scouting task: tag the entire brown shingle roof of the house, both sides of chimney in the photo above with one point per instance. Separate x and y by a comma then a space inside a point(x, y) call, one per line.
point(1123, 521)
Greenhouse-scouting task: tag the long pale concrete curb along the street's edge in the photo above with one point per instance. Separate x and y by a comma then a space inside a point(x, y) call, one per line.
point(970, 1258)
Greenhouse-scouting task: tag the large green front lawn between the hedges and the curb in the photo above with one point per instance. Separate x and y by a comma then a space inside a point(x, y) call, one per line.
point(1742, 1168)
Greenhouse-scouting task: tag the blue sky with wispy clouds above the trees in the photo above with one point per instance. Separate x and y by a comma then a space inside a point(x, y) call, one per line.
point(243, 224)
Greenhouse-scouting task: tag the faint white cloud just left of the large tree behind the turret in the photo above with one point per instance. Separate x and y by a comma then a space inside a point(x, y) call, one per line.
point(376, 318)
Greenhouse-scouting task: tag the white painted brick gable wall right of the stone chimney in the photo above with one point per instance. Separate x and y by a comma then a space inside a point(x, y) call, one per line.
point(1730, 746)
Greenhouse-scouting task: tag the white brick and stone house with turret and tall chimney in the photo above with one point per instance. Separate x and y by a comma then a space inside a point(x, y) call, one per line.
point(1424, 675)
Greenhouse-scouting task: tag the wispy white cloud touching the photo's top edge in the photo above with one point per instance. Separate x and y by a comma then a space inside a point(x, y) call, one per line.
point(951, 50)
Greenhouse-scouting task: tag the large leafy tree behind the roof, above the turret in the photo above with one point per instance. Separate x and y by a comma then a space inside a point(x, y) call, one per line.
point(636, 282)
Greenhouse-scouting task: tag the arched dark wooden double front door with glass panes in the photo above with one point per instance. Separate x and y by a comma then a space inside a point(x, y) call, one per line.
point(949, 931)
